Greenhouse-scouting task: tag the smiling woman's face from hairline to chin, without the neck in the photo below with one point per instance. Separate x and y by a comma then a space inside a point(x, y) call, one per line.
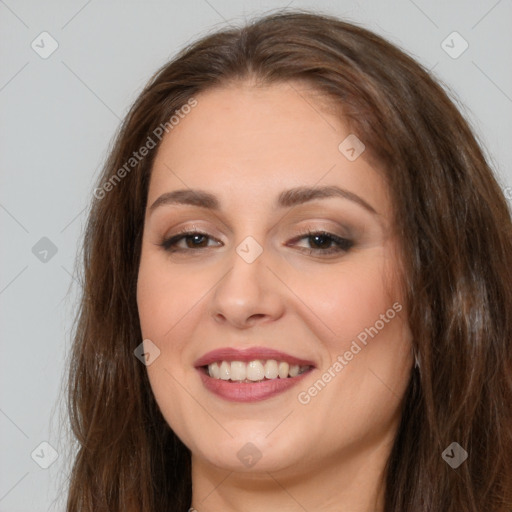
point(237, 309)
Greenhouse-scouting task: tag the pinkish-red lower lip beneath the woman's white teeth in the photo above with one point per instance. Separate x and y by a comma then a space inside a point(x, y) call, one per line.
point(249, 392)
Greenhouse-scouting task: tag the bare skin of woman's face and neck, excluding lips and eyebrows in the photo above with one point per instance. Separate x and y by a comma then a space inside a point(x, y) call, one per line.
point(246, 143)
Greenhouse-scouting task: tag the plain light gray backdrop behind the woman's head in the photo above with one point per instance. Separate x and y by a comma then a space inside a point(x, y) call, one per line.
point(58, 117)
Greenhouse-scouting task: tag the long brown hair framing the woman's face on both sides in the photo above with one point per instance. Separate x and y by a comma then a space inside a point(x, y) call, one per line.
point(456, 254)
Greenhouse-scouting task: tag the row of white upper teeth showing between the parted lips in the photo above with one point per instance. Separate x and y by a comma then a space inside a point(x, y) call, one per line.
point(250, 372)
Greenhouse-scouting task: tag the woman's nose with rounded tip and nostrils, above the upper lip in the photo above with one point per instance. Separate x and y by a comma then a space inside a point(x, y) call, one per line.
point(248, 294)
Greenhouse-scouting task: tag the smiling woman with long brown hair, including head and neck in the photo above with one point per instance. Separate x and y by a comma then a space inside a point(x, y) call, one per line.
point(297, 288)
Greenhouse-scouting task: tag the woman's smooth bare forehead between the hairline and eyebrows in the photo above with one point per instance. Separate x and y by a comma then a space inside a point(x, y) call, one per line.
point(249, 142)
